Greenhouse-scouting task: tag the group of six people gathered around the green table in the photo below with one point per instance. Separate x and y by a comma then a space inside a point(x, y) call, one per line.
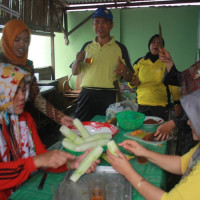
point(155, 78)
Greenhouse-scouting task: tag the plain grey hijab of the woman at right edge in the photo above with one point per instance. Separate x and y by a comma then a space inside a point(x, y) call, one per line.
point(191, 105)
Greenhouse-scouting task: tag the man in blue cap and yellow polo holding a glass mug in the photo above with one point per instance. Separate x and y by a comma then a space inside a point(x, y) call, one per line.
point(107, 62)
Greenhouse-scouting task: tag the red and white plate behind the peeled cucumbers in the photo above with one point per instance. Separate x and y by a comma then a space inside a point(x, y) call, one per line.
point(97, 127)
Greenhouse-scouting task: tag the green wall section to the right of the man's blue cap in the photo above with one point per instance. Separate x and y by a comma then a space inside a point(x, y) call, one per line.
point(179, 28)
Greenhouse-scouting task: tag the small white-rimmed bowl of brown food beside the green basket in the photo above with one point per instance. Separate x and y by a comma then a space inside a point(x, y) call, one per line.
point(152, 126)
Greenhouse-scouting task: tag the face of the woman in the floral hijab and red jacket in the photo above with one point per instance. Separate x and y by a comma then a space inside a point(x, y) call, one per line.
point(19, 98)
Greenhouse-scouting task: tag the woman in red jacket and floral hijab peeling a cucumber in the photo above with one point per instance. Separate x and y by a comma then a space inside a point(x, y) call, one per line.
point(21, 151)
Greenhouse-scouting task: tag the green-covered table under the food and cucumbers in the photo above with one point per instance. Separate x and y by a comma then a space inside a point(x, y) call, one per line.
point(155, 175)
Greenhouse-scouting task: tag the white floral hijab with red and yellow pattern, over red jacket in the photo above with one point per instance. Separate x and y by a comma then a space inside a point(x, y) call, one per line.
point(15, 137)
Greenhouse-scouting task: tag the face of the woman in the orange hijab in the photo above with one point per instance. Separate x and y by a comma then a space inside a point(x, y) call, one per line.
point(21, 44)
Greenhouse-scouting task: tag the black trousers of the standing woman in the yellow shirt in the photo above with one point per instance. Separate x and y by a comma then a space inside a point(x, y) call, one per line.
point(156, 111)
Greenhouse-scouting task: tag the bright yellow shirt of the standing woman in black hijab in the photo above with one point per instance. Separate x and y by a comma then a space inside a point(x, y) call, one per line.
point(151, 91)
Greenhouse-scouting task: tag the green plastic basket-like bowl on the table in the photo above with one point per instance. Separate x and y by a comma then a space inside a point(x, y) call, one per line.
point(130, 120)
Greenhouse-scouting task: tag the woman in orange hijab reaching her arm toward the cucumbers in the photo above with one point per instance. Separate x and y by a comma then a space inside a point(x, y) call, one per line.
point(14, 50)
